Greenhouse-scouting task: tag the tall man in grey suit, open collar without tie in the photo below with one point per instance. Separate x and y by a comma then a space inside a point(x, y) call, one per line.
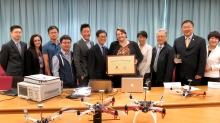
point(80, 55)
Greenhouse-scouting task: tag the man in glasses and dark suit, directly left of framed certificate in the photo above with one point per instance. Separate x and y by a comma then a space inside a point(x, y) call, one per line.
point(97, 57)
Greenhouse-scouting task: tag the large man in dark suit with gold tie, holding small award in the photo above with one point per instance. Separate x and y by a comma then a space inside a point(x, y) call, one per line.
point(192, 51)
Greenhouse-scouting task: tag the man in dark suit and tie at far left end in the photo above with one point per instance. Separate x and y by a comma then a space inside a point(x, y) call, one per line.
point(12, 53)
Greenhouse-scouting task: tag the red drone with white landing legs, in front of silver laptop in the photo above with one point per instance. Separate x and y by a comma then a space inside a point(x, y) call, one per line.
point(145, 106)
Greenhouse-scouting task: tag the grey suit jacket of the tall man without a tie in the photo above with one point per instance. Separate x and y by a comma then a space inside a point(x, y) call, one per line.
point(80, 56)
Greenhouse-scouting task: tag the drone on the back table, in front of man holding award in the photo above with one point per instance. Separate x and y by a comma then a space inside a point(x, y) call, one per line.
point(189, 92)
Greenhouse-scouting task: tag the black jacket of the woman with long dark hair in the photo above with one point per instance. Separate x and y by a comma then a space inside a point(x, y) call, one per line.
point(32, 65)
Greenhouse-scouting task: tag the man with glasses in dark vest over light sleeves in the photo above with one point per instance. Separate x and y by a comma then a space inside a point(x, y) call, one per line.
point(63, 65)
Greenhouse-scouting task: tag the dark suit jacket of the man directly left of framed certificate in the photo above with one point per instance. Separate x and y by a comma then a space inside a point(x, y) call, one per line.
point(97, 63)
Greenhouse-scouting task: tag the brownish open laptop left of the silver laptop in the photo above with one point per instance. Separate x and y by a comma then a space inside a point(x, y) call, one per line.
point(100, 84)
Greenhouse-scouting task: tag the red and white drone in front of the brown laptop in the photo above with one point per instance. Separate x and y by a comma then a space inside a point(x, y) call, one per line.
point(99, 108)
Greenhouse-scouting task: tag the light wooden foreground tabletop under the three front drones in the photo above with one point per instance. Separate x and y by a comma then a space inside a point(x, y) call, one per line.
point(182, 115)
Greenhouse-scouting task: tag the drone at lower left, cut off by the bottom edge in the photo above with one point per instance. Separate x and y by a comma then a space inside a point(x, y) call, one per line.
point(42, 119)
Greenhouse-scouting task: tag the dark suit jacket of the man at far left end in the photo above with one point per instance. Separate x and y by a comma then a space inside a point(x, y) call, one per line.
point(11, 60)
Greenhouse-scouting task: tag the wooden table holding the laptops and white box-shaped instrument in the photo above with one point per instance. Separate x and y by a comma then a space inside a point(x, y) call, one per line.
point(17, 105)
